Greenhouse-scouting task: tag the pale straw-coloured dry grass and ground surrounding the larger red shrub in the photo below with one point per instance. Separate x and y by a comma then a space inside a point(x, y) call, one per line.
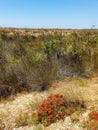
point(14, 108)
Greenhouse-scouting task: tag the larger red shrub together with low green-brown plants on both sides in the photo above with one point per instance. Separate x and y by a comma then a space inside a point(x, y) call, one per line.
point(52, 109)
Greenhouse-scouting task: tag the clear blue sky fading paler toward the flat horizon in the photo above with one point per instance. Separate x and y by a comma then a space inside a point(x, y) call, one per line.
point(49, 13)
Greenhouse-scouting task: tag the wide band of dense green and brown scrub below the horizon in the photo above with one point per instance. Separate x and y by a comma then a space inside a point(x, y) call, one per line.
point(29, 62)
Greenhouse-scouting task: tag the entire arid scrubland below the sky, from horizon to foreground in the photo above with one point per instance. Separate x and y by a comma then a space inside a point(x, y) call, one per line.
point(48, 79)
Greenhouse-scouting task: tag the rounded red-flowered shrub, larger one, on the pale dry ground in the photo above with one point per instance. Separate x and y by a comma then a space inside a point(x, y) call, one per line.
point(53, 109)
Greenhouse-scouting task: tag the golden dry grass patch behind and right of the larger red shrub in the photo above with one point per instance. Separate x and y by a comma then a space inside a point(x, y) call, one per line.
point(72, 90)
